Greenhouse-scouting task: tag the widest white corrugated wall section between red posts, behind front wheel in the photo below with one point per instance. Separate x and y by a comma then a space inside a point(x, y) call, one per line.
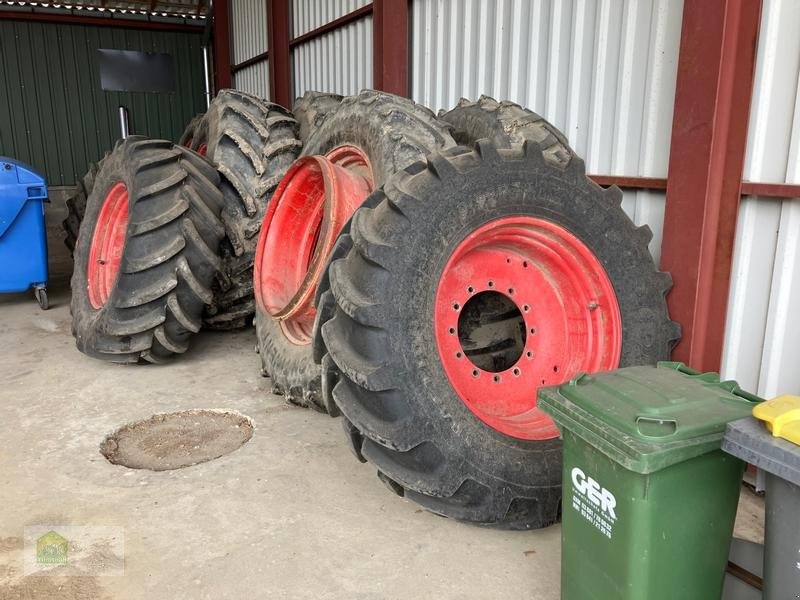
point(602, 71)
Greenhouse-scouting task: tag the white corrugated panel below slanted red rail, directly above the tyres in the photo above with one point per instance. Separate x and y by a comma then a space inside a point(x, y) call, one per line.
point(339, 61)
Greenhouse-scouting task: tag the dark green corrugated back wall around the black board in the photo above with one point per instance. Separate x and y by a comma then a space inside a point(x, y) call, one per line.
point(53, 114)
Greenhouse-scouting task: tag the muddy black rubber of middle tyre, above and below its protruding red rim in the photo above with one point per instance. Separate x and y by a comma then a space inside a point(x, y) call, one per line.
point(393, 133)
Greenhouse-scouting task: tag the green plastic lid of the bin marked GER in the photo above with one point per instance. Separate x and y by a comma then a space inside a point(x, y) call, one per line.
point(648, 418)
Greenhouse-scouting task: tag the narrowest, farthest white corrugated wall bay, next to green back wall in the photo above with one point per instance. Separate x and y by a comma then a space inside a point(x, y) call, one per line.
point(248, 24)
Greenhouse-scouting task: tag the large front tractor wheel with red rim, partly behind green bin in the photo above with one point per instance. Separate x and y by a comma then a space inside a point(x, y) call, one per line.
point(473, 279)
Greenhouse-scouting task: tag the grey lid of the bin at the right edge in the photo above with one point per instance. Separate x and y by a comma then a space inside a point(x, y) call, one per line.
point(749, 440)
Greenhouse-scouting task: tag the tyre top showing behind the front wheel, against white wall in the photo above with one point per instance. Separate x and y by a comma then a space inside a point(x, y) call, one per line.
point(506, 124)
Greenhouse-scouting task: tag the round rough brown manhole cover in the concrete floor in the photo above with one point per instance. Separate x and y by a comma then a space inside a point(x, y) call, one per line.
point(177, 440)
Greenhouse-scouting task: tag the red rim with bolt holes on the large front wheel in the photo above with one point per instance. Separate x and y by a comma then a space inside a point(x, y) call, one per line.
point(557, 315)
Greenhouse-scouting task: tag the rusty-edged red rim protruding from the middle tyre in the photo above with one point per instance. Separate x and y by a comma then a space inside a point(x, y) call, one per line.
point(312, 203)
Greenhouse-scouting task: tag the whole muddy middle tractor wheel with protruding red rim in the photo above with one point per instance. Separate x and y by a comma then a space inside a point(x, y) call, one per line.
point(374, 135)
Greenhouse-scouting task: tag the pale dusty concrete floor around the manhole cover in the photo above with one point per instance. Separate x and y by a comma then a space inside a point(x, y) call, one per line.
point(291, 514)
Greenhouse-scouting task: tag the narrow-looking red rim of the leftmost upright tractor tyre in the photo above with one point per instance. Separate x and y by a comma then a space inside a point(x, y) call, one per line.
point(108, 241)
